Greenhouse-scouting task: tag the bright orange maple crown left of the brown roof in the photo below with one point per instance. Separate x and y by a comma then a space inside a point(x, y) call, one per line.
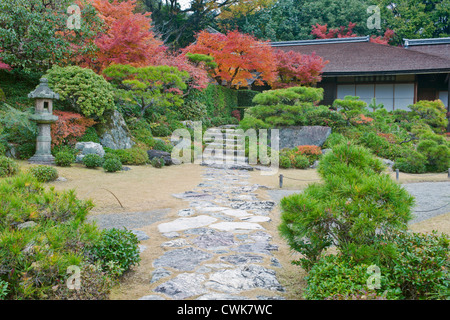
point(240, 58)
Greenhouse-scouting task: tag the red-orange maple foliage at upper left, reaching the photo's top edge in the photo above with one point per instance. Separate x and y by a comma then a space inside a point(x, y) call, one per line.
point(127, 38)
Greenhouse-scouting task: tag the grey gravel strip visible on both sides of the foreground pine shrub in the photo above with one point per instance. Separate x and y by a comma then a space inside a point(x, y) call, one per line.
point(429, 197)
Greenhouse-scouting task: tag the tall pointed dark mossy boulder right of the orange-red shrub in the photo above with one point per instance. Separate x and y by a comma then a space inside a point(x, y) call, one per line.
point(114, 133)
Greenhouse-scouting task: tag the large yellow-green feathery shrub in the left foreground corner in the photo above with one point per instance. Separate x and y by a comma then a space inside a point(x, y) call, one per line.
point(33, 260)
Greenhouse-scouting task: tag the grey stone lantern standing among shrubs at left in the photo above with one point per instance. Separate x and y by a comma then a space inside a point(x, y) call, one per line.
point(44, 118)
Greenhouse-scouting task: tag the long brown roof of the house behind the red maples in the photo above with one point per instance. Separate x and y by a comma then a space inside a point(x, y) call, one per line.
point(354, 56)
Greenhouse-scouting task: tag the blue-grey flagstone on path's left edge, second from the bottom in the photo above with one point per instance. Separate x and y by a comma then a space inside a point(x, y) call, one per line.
point(186, 259)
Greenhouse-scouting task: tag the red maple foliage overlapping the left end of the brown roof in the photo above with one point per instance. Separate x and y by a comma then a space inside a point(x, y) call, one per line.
point(296, 69)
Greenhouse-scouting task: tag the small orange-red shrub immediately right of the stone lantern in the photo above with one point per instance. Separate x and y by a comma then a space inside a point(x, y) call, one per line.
point(69, 127)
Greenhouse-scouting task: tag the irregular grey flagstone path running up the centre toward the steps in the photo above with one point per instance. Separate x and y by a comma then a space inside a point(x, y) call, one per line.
point(218, 248)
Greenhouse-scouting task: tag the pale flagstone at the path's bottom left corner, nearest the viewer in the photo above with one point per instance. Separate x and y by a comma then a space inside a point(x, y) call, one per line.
point(183, 286)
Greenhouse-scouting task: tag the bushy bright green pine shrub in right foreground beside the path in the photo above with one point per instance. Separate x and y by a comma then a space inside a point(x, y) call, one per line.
point(355, 202)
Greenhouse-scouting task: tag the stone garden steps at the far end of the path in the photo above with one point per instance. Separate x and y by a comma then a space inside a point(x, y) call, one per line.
point(224, 149)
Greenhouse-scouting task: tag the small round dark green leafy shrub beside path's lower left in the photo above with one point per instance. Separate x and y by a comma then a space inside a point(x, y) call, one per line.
point(117, 250)
